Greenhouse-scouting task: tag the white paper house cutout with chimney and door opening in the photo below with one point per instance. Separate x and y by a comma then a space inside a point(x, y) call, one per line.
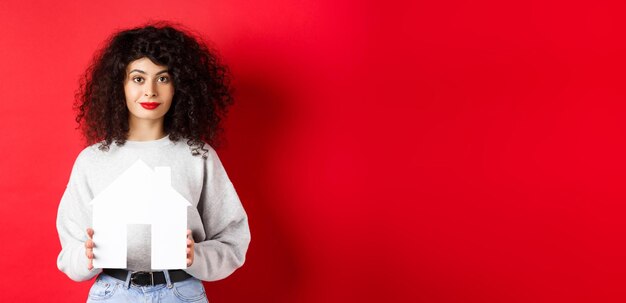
point(141, 195)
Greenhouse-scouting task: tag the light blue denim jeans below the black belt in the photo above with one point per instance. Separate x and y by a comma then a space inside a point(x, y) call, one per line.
point(111, 290)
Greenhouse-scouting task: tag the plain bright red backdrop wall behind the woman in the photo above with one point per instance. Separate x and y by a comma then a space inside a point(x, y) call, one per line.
point(431, 151)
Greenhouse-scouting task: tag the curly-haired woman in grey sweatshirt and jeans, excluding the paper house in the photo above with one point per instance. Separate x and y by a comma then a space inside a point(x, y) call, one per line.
point(157, 94)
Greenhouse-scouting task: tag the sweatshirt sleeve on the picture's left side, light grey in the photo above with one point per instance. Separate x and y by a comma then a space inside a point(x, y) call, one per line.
point(73, 218)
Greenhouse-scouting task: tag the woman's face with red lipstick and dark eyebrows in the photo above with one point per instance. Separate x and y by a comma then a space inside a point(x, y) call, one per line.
point(149, 91)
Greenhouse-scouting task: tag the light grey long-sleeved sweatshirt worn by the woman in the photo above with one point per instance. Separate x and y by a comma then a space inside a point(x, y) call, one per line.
point(218, 221)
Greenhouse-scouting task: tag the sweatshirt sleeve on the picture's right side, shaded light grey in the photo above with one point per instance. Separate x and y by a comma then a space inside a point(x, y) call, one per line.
point(225, 225)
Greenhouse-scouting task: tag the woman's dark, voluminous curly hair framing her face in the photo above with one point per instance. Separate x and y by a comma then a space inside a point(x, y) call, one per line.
point(201, 82)
